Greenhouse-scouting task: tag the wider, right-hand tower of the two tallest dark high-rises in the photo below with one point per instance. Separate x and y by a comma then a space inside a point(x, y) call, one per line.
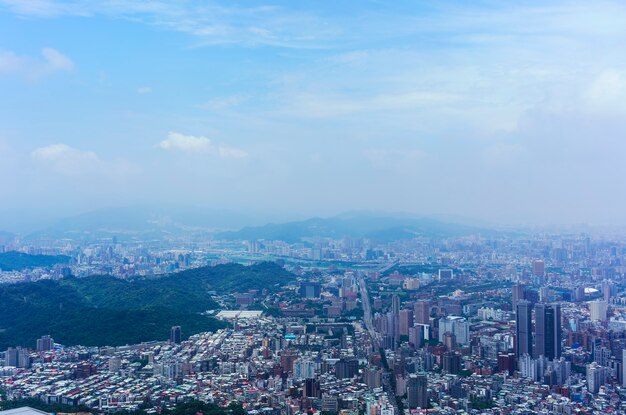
point(548, 331)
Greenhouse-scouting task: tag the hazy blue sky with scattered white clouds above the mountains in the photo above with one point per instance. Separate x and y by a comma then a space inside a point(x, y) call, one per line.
point(510, 112)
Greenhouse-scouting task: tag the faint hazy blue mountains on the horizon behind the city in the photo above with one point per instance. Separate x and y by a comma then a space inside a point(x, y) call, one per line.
point(156, 223)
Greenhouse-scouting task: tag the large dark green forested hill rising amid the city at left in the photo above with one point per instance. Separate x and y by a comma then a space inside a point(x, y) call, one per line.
point(103, 310)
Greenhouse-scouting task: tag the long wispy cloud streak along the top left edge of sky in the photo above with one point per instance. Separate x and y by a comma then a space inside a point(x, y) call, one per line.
point(209, 22)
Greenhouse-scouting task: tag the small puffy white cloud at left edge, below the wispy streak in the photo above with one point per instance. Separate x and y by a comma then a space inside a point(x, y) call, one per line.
point(32, 68)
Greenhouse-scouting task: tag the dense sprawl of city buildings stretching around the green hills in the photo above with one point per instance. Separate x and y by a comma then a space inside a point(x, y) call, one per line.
point(530, 323)
